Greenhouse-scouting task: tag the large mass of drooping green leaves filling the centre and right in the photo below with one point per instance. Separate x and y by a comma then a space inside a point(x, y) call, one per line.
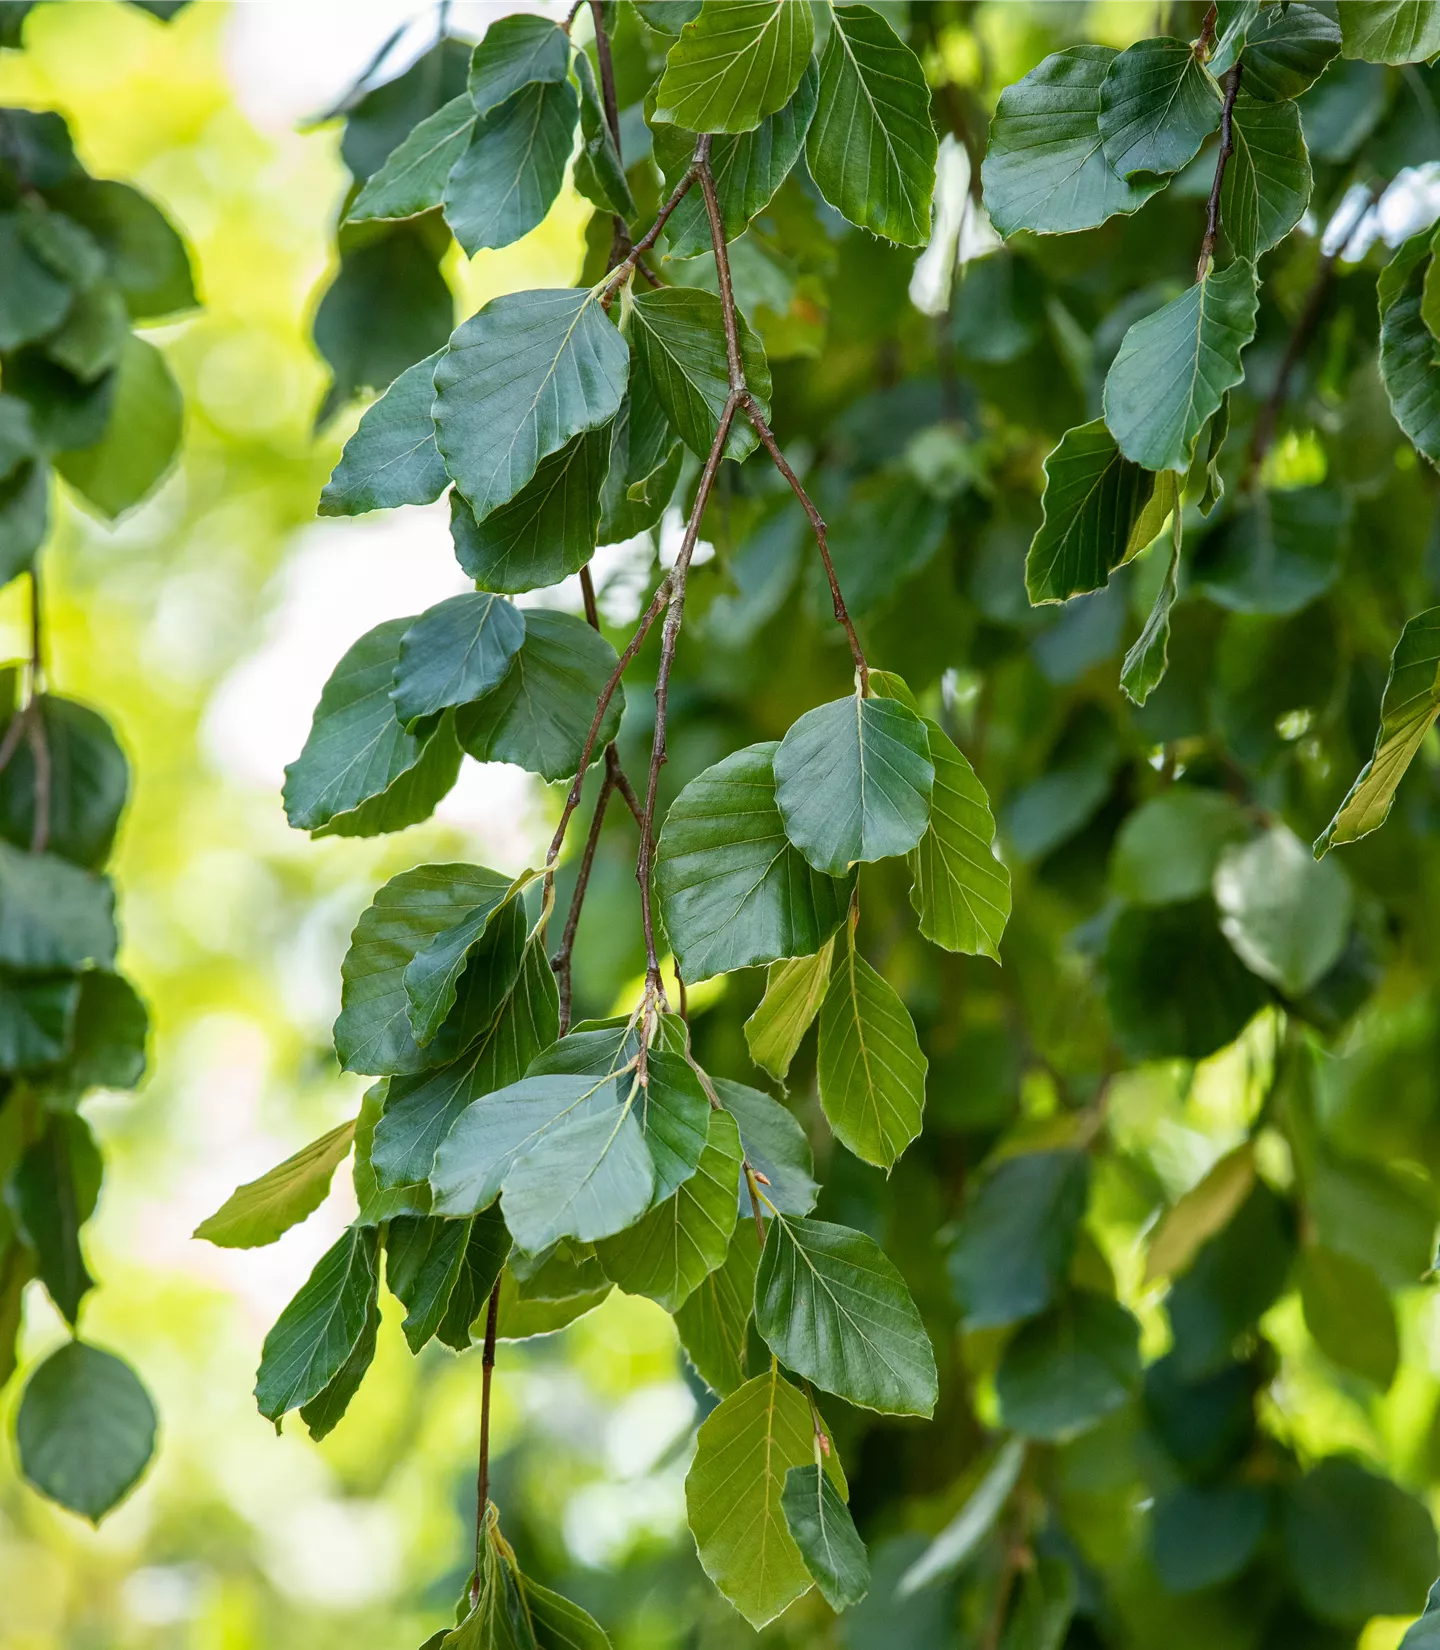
point(1078, 398)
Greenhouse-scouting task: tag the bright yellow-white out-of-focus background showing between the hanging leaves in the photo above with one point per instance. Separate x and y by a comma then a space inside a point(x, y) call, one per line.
point(205, 626)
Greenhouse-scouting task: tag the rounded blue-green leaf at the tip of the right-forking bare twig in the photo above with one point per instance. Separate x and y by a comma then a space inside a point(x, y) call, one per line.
point(854, 783)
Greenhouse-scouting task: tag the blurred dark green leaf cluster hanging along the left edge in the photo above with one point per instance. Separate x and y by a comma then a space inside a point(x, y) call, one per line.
point(82, 398)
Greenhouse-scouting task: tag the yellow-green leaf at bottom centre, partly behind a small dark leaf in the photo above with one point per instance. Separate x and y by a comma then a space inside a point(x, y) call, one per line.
point(735, 1489)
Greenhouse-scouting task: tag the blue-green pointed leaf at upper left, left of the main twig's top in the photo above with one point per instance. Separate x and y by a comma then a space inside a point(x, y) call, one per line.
point(507, 181)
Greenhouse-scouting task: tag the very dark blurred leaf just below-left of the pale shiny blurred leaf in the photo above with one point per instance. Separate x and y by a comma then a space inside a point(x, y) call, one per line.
point(1174, 986)
